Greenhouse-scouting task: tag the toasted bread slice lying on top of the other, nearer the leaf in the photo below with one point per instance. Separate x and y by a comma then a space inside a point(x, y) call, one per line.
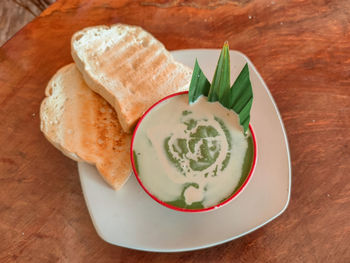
point(128, 67)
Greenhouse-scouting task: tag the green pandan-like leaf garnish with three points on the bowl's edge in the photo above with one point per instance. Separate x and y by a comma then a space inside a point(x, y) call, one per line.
point(238, 98)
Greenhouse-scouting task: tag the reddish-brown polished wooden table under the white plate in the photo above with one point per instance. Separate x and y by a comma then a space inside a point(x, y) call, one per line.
point(302, 50)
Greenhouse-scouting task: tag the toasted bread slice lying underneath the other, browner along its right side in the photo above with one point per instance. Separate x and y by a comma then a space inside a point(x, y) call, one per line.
point(84, 126)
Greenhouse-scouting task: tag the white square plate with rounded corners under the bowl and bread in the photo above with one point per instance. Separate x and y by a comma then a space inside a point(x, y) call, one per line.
point(130, 218)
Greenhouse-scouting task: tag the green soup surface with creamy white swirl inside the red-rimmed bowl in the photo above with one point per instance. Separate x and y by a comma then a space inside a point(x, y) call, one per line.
point(191, 155)
